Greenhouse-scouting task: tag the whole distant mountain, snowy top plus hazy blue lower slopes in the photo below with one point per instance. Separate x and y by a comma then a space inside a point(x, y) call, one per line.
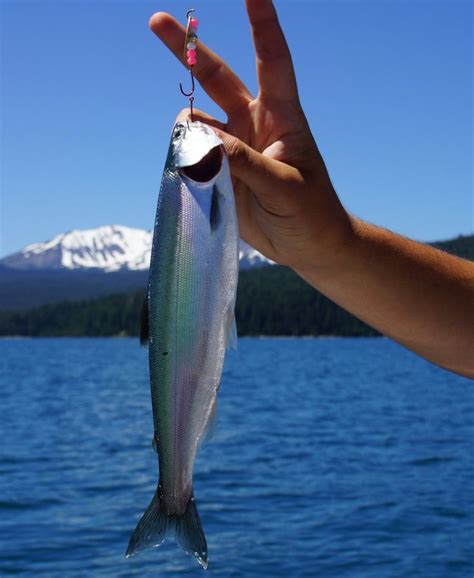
point(85, 264)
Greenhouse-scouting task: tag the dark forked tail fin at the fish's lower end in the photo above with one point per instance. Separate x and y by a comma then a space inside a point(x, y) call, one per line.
point(156, 525)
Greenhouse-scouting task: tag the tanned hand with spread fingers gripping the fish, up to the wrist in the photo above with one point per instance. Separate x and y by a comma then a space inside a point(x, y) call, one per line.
point(286, 205)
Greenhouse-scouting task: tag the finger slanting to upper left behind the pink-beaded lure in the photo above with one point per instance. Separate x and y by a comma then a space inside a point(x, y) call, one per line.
point(216, 78)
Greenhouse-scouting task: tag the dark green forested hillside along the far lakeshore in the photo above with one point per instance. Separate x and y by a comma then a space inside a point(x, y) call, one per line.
point(272, 300)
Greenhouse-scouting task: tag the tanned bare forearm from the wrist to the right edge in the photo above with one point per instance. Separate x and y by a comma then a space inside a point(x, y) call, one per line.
point(419, 296)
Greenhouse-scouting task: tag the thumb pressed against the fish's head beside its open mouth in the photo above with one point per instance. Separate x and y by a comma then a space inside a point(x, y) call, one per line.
point(269, 180)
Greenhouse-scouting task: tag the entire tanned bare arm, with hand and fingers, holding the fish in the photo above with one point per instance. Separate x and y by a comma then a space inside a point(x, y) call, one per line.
point(289, 211)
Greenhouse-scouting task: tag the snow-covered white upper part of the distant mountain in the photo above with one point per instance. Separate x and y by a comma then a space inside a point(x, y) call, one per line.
point(109, 248)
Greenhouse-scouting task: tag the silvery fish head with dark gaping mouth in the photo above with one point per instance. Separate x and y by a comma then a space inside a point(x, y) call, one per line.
point(195, 151)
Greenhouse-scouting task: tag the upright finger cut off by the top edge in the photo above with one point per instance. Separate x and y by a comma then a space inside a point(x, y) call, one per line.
point(275, 71)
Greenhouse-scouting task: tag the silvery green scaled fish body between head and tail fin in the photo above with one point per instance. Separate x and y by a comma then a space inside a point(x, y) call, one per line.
point(188, 312)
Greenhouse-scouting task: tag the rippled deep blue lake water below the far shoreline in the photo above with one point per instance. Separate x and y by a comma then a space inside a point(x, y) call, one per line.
point(331, 458)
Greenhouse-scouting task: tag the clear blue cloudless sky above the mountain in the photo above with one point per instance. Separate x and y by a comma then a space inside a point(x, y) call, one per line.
point(89, 96)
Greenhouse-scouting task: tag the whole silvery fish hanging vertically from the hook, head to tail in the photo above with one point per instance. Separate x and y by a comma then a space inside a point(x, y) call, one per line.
point(188, 321)
